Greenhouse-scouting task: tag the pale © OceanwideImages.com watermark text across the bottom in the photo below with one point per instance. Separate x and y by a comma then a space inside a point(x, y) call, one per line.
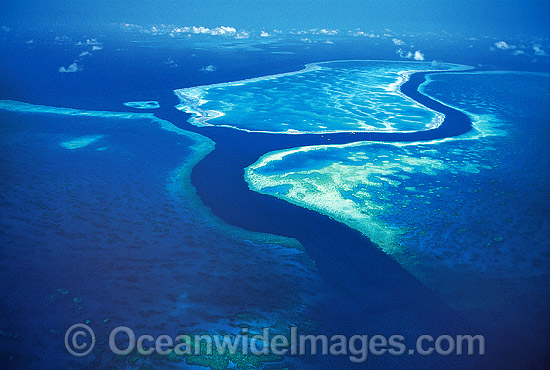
point(80, 341)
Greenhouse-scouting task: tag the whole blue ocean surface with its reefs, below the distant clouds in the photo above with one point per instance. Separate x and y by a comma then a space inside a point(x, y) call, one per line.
point(333, 199)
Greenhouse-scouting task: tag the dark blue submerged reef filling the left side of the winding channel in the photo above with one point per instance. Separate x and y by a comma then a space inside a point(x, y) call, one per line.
point(124, 239)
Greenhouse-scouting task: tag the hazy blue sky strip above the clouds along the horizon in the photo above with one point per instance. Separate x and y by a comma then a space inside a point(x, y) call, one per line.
point(502, 17)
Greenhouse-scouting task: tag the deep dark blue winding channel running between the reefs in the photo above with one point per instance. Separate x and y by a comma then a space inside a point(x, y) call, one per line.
point(366, 290)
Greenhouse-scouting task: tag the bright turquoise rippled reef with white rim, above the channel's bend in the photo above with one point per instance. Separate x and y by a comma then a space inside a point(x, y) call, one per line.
point(324, 97)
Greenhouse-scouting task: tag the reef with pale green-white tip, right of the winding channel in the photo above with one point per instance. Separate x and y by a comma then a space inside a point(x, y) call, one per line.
point(467, 216)
